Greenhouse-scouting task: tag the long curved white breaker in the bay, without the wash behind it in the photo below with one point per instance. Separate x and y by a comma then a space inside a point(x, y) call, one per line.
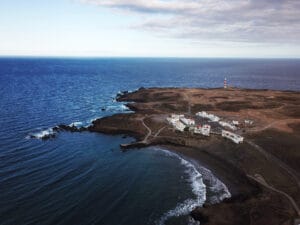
point(198, 188)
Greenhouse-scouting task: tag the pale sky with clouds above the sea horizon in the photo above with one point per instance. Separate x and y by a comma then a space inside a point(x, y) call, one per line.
point(151, 28)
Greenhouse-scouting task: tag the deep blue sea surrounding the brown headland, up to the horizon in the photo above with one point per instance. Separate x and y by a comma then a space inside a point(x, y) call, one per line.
point(84, 178)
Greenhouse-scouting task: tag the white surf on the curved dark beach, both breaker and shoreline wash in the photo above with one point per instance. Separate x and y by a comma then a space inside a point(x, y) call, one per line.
point(196, 176)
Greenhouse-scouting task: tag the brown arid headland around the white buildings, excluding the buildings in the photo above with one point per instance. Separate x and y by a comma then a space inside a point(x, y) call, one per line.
point(262, 173)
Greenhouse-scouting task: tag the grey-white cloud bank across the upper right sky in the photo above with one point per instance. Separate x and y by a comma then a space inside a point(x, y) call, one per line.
point(257, 21)
